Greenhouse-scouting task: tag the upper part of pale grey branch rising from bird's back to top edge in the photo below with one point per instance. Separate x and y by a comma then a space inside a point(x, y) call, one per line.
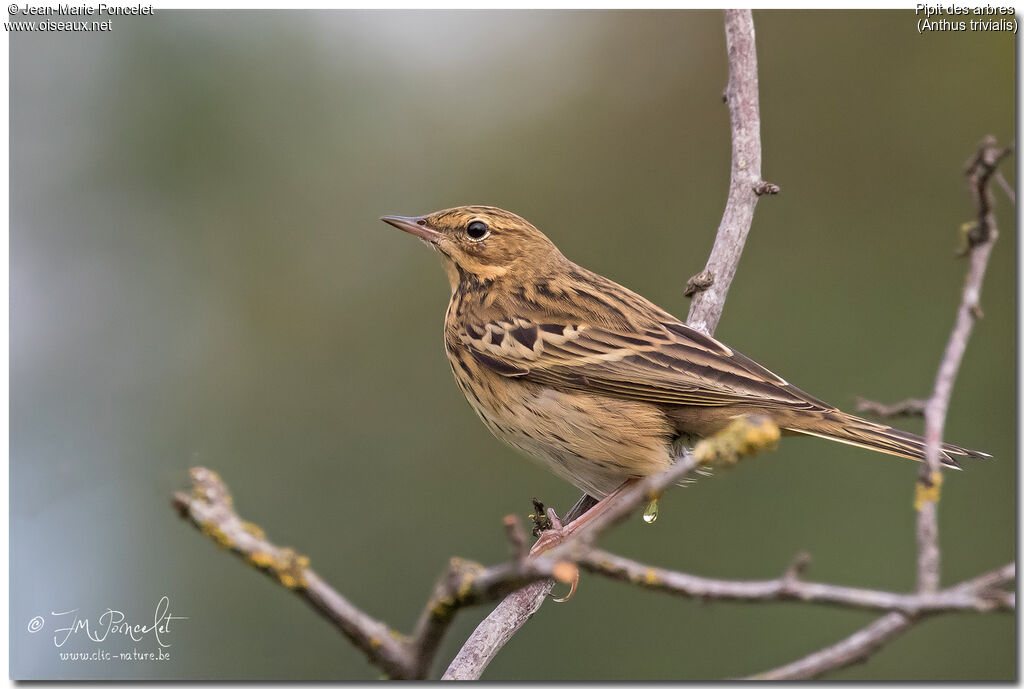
point(711, 287)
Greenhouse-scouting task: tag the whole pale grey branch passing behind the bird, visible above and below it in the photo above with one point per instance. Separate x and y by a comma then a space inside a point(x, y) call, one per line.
point(710, 289)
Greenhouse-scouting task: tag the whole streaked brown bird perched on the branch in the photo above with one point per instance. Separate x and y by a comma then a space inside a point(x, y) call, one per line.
point(592, 379)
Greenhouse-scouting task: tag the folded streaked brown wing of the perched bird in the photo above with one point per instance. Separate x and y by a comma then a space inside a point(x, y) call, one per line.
point(667, 364)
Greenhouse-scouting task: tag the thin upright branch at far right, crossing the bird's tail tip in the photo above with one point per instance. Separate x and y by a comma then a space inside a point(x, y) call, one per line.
point(980, 237)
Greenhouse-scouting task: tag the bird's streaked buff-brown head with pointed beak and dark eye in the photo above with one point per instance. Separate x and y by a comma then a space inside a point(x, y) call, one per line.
point(482, 243)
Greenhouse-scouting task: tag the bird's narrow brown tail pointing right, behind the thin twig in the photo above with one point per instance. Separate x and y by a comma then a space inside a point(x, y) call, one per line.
point(842, 427)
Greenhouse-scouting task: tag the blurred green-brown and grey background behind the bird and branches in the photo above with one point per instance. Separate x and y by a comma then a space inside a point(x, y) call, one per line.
point(199, 278)
